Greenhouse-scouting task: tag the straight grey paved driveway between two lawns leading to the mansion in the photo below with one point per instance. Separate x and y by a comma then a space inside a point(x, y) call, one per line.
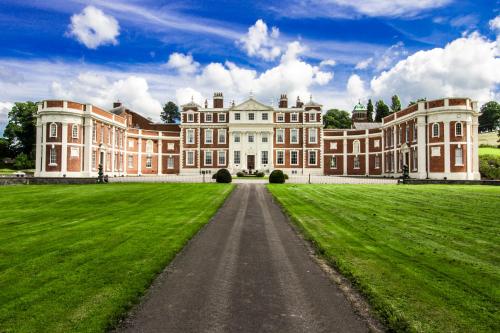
point(246, 271)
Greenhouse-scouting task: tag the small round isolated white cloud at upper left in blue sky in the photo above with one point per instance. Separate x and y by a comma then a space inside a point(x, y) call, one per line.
point(93, 28)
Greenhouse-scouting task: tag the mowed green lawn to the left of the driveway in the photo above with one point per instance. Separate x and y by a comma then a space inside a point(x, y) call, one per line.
point(75, 258)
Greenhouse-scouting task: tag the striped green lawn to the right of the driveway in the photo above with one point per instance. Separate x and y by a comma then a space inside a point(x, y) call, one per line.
point(426, 256)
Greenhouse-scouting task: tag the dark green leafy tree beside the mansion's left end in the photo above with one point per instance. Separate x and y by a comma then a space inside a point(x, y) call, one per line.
point(21, 129)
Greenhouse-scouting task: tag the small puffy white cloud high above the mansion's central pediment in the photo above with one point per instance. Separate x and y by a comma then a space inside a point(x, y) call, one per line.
point(259, 42)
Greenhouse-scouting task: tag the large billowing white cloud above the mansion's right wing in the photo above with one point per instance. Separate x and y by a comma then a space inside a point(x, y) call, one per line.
point(467, 66)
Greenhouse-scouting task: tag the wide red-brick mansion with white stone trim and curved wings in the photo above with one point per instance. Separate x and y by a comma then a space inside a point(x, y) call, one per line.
point(436, 139)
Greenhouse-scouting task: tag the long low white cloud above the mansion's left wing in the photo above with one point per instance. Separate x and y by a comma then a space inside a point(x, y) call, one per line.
point(101, 91)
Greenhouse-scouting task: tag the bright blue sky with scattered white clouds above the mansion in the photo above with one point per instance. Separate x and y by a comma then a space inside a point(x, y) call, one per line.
point(148, 52)
